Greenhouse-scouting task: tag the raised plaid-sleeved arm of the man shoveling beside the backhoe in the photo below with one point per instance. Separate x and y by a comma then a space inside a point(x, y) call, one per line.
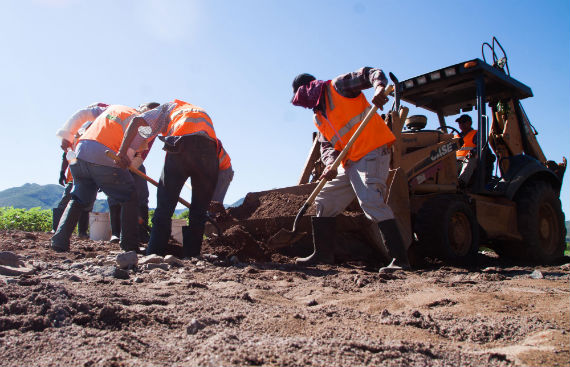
point(352, 84)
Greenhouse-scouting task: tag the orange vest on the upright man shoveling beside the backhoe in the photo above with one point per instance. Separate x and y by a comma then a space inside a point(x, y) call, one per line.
point(343, 116)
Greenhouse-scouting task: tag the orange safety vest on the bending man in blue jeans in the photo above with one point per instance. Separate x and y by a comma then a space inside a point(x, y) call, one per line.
point(109, 127)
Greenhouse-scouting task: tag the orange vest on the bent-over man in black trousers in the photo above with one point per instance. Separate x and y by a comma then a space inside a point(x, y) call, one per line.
point(187, 119)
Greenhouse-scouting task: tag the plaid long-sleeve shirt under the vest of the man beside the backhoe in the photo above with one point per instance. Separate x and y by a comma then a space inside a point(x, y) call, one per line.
point(349, 85)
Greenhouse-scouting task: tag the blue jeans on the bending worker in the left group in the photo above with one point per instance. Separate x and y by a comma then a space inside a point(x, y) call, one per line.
point(117, 183)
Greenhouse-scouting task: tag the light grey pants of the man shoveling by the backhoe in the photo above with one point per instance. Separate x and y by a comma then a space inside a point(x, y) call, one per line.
point(365, 179)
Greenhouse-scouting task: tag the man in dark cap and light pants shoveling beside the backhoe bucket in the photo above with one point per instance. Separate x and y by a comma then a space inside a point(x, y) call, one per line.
point(339, 106)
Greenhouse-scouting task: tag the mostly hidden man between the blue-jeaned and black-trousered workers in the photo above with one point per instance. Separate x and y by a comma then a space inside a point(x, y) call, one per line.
point(141, 186)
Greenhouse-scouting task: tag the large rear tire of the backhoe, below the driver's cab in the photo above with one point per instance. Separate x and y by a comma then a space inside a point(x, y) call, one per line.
point(540, 221)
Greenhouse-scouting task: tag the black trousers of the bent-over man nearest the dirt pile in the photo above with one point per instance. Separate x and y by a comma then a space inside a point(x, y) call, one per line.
point(193, 156)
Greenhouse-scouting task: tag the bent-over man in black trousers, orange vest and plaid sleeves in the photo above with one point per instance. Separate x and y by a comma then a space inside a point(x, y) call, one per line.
point(191, 151)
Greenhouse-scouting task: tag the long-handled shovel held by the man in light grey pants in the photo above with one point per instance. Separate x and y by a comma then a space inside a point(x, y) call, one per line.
point(285, 237)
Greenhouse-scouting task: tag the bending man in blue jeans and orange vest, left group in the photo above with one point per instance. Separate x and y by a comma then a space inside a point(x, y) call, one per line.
point(93, 170)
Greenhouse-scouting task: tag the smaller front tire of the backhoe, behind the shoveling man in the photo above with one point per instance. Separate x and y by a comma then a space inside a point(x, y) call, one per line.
point(446, 227)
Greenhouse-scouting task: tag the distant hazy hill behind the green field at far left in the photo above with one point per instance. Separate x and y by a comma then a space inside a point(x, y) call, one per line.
point(44, 196)
